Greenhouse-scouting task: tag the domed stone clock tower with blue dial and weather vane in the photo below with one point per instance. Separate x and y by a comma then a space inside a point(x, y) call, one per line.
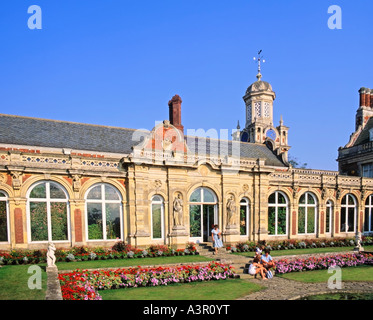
point(259, 128)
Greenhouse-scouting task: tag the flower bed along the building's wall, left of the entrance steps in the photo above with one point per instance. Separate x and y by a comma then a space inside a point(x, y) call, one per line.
point(119, 251)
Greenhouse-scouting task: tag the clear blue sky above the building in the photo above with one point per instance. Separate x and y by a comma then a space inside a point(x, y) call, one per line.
point(118, 62)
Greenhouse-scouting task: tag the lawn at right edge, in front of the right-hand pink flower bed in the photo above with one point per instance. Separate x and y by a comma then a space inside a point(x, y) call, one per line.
point(360, 273)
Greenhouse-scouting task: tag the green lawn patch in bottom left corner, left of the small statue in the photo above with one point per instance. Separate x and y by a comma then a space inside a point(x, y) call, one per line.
point(14, 284)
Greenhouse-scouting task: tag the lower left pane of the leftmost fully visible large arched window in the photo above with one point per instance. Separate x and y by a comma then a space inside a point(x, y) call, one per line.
point(39, 222)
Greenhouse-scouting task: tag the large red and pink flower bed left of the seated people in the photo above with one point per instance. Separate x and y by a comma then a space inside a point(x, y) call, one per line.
point(84, 285)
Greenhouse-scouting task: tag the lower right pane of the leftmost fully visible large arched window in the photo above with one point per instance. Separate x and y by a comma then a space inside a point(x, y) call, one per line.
point(59, 221)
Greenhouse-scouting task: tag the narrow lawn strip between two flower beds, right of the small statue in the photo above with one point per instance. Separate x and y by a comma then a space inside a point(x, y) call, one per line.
point(122, 263)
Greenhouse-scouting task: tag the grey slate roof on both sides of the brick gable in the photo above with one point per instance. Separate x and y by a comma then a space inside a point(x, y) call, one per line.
point(78, 136)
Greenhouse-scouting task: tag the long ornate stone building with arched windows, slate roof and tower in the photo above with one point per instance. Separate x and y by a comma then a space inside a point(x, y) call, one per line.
point(80, 184)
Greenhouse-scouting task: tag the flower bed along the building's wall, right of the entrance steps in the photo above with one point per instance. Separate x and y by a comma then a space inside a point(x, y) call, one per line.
point(299, 244)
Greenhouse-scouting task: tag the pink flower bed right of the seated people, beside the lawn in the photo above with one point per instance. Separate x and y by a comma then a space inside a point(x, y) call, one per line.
point(317, 263)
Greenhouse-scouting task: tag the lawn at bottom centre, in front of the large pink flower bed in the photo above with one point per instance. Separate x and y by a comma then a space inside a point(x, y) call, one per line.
point(211, 290)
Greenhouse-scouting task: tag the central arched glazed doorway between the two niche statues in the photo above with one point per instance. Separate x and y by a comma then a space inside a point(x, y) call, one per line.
point(202, 214)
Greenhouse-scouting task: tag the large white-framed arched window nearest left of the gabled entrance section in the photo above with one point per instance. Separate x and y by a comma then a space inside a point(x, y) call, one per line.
point(104, 213)
